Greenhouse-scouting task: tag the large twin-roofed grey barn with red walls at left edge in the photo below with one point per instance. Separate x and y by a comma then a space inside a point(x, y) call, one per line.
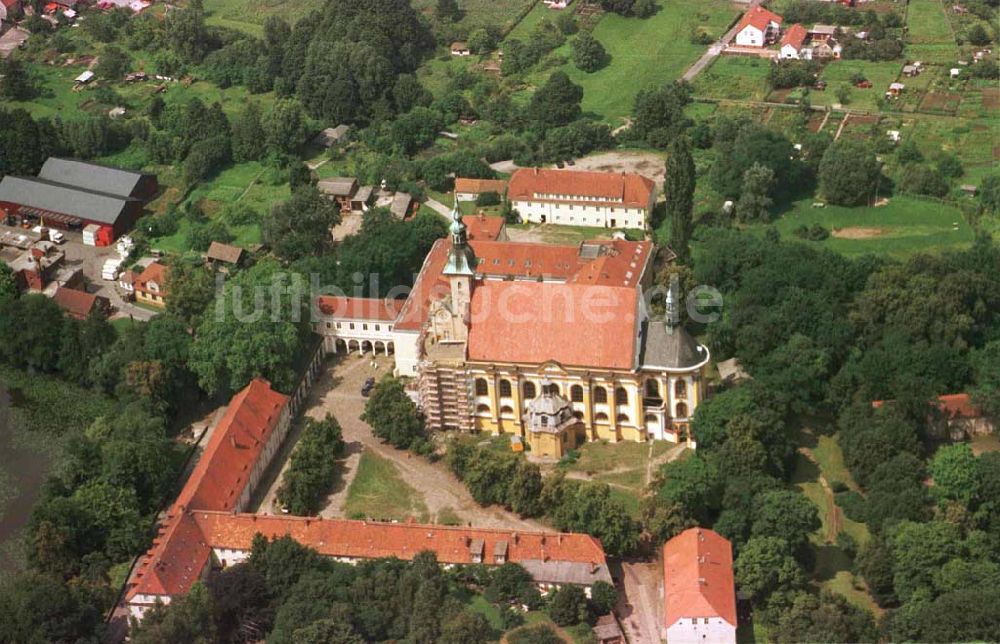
point(75, 195)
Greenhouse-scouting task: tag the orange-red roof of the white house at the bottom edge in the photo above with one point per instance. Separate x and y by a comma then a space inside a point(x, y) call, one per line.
point(698, 577)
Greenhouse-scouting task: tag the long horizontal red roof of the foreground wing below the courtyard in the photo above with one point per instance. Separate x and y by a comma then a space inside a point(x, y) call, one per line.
point(369, 540)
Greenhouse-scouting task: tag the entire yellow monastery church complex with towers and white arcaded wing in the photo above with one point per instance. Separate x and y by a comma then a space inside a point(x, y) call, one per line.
point(550, 343)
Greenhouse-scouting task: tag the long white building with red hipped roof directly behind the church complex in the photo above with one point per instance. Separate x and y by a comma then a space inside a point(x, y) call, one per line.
point(582, 198)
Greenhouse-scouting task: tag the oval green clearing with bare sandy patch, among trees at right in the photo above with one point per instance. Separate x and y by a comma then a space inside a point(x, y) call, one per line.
point(905, 226)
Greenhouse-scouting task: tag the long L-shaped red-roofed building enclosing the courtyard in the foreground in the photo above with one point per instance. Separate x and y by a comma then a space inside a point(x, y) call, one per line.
point(207, 527)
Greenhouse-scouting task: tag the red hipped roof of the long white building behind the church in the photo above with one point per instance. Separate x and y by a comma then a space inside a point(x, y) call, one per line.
point(612, 188)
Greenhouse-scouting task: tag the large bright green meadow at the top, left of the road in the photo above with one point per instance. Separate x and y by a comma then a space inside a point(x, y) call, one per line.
point(644, 53)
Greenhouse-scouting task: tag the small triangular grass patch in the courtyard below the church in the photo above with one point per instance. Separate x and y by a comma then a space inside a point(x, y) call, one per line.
point(379, 492)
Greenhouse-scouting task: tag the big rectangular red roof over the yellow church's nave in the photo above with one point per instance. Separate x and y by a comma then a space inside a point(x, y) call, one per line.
point(573, 324)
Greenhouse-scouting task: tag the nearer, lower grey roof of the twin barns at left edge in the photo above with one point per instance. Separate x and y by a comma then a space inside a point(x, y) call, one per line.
point(67, 200)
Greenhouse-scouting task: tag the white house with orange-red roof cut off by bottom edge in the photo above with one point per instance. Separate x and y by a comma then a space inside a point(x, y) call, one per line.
point(699, 592)
